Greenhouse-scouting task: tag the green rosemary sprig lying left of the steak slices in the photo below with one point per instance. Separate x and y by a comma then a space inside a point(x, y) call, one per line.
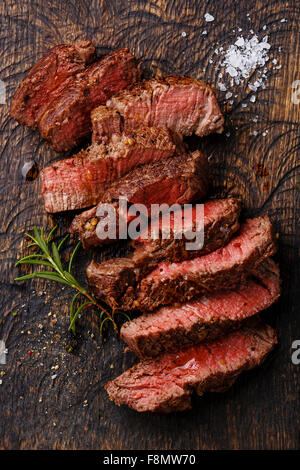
point(50, 257)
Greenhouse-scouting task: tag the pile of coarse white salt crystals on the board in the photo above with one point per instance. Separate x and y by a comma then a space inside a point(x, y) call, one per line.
point(244, 57)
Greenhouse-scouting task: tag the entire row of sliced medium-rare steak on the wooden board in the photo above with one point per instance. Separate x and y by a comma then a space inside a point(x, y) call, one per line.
point(198, 327)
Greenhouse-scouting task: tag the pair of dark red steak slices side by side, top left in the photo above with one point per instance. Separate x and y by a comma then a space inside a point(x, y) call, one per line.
point(60, 91)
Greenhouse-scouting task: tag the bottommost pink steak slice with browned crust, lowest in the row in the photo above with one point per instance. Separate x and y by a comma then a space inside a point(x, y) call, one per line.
point(165, 384)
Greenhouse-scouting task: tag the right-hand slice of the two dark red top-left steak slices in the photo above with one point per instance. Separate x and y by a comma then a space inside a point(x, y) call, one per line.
point(66, 122)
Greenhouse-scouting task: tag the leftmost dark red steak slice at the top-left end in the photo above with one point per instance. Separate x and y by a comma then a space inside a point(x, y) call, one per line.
point(46, 80)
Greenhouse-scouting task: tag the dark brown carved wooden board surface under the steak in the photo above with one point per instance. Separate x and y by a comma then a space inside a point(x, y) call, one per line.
point(261, 411)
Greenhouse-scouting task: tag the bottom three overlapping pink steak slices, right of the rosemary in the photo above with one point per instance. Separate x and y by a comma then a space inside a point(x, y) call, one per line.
point(198, 330)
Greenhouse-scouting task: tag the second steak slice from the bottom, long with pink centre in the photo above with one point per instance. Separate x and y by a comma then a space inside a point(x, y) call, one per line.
point(172, 328)
